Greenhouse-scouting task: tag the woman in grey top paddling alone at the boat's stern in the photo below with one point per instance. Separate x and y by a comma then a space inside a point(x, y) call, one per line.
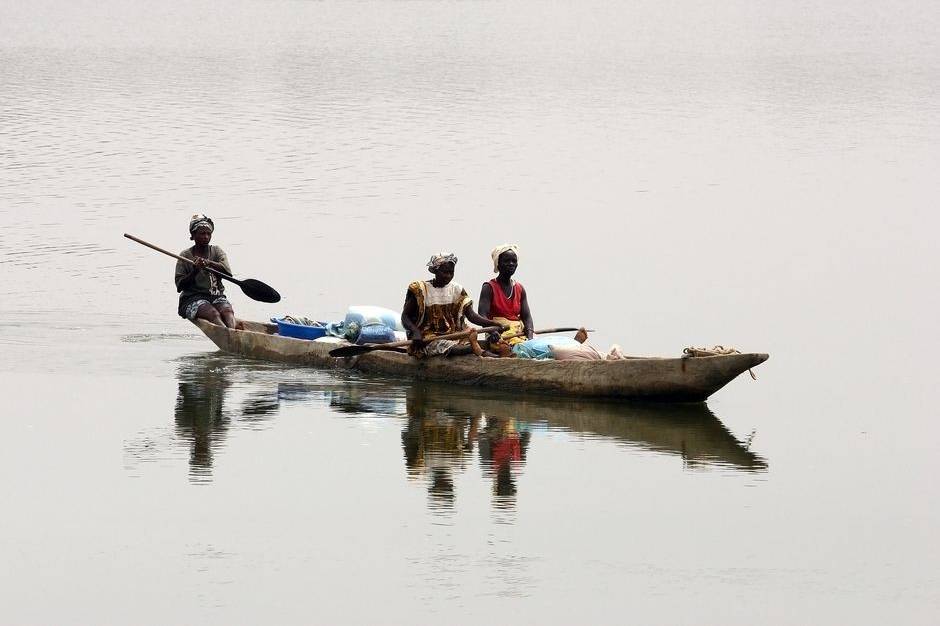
point(202, 294)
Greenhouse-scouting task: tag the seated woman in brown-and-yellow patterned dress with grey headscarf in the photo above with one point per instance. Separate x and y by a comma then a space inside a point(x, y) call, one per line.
point(437, 307)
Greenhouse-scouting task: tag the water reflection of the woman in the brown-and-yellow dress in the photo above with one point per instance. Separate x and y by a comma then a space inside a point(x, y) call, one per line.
point(436, 444)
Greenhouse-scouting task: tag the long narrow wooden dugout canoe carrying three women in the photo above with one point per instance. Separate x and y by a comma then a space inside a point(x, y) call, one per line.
point(637, 378)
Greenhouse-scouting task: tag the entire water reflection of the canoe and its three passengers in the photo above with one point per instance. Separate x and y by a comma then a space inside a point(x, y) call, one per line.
point(444, 424)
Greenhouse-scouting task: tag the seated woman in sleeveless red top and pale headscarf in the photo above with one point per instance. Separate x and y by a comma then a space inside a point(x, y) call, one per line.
point(504, 300)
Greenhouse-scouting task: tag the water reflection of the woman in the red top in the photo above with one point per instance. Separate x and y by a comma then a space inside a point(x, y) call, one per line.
point(503, 446)
